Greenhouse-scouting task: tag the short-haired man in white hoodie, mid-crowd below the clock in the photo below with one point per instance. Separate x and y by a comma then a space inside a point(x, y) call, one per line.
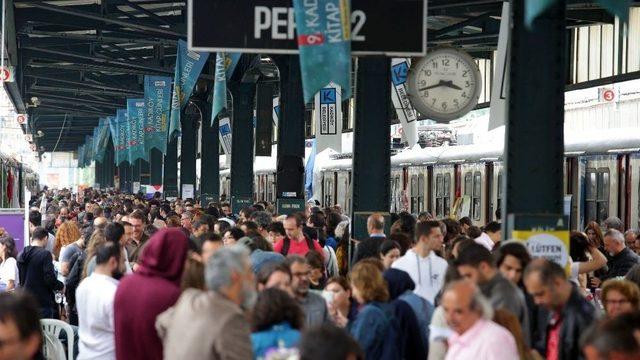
point(426, 269)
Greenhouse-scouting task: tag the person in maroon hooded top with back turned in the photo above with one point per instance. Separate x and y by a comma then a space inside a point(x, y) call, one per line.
point(152, 289)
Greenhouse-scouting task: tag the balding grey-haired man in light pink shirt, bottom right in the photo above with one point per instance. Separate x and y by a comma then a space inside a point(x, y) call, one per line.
point(475, 335)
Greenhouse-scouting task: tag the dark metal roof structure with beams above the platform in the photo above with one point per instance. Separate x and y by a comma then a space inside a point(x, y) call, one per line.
point(78, 60)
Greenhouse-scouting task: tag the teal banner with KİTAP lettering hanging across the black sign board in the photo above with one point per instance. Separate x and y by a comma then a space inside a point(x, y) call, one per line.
point(324, 41)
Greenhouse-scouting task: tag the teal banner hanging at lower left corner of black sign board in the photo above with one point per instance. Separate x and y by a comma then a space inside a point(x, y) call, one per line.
point(189, 64)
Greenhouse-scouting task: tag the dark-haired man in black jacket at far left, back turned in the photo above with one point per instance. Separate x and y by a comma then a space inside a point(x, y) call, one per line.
point(37, 274)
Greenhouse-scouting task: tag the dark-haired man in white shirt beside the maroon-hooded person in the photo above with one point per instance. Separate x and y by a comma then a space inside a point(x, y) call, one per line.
point(94, 300)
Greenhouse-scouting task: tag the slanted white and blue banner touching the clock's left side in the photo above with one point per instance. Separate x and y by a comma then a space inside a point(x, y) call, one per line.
point(405, 111)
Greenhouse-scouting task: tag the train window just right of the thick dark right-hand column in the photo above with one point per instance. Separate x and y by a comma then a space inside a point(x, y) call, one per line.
point(596, 194)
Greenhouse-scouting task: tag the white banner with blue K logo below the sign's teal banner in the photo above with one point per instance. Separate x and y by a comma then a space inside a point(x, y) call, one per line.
point(328, 116)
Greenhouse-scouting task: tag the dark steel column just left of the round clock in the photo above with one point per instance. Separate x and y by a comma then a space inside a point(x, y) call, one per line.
point(371, 145)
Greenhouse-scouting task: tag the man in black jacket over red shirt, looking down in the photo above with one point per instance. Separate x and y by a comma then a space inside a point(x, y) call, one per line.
point(570, 313)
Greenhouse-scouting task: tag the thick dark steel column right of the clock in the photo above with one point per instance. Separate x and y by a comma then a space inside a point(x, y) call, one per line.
point(534, 143)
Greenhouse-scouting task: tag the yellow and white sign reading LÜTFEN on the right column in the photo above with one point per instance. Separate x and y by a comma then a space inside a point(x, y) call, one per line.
point(550, 245)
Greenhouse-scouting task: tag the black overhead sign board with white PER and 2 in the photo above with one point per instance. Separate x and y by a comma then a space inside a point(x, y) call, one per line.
point(378, 27)
